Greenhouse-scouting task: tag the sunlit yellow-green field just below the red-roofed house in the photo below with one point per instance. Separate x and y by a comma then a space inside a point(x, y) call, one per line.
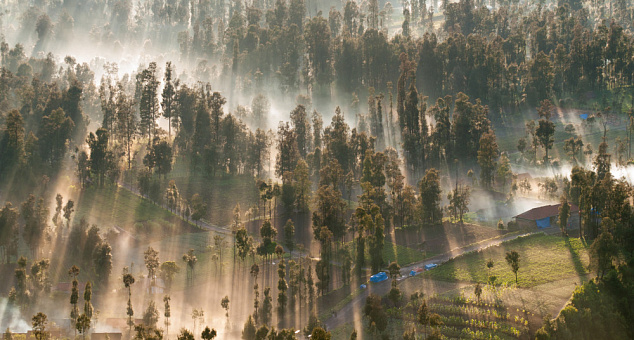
point(543, 259)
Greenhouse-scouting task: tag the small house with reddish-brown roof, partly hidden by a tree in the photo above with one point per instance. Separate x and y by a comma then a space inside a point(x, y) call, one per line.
point(546, 217)
